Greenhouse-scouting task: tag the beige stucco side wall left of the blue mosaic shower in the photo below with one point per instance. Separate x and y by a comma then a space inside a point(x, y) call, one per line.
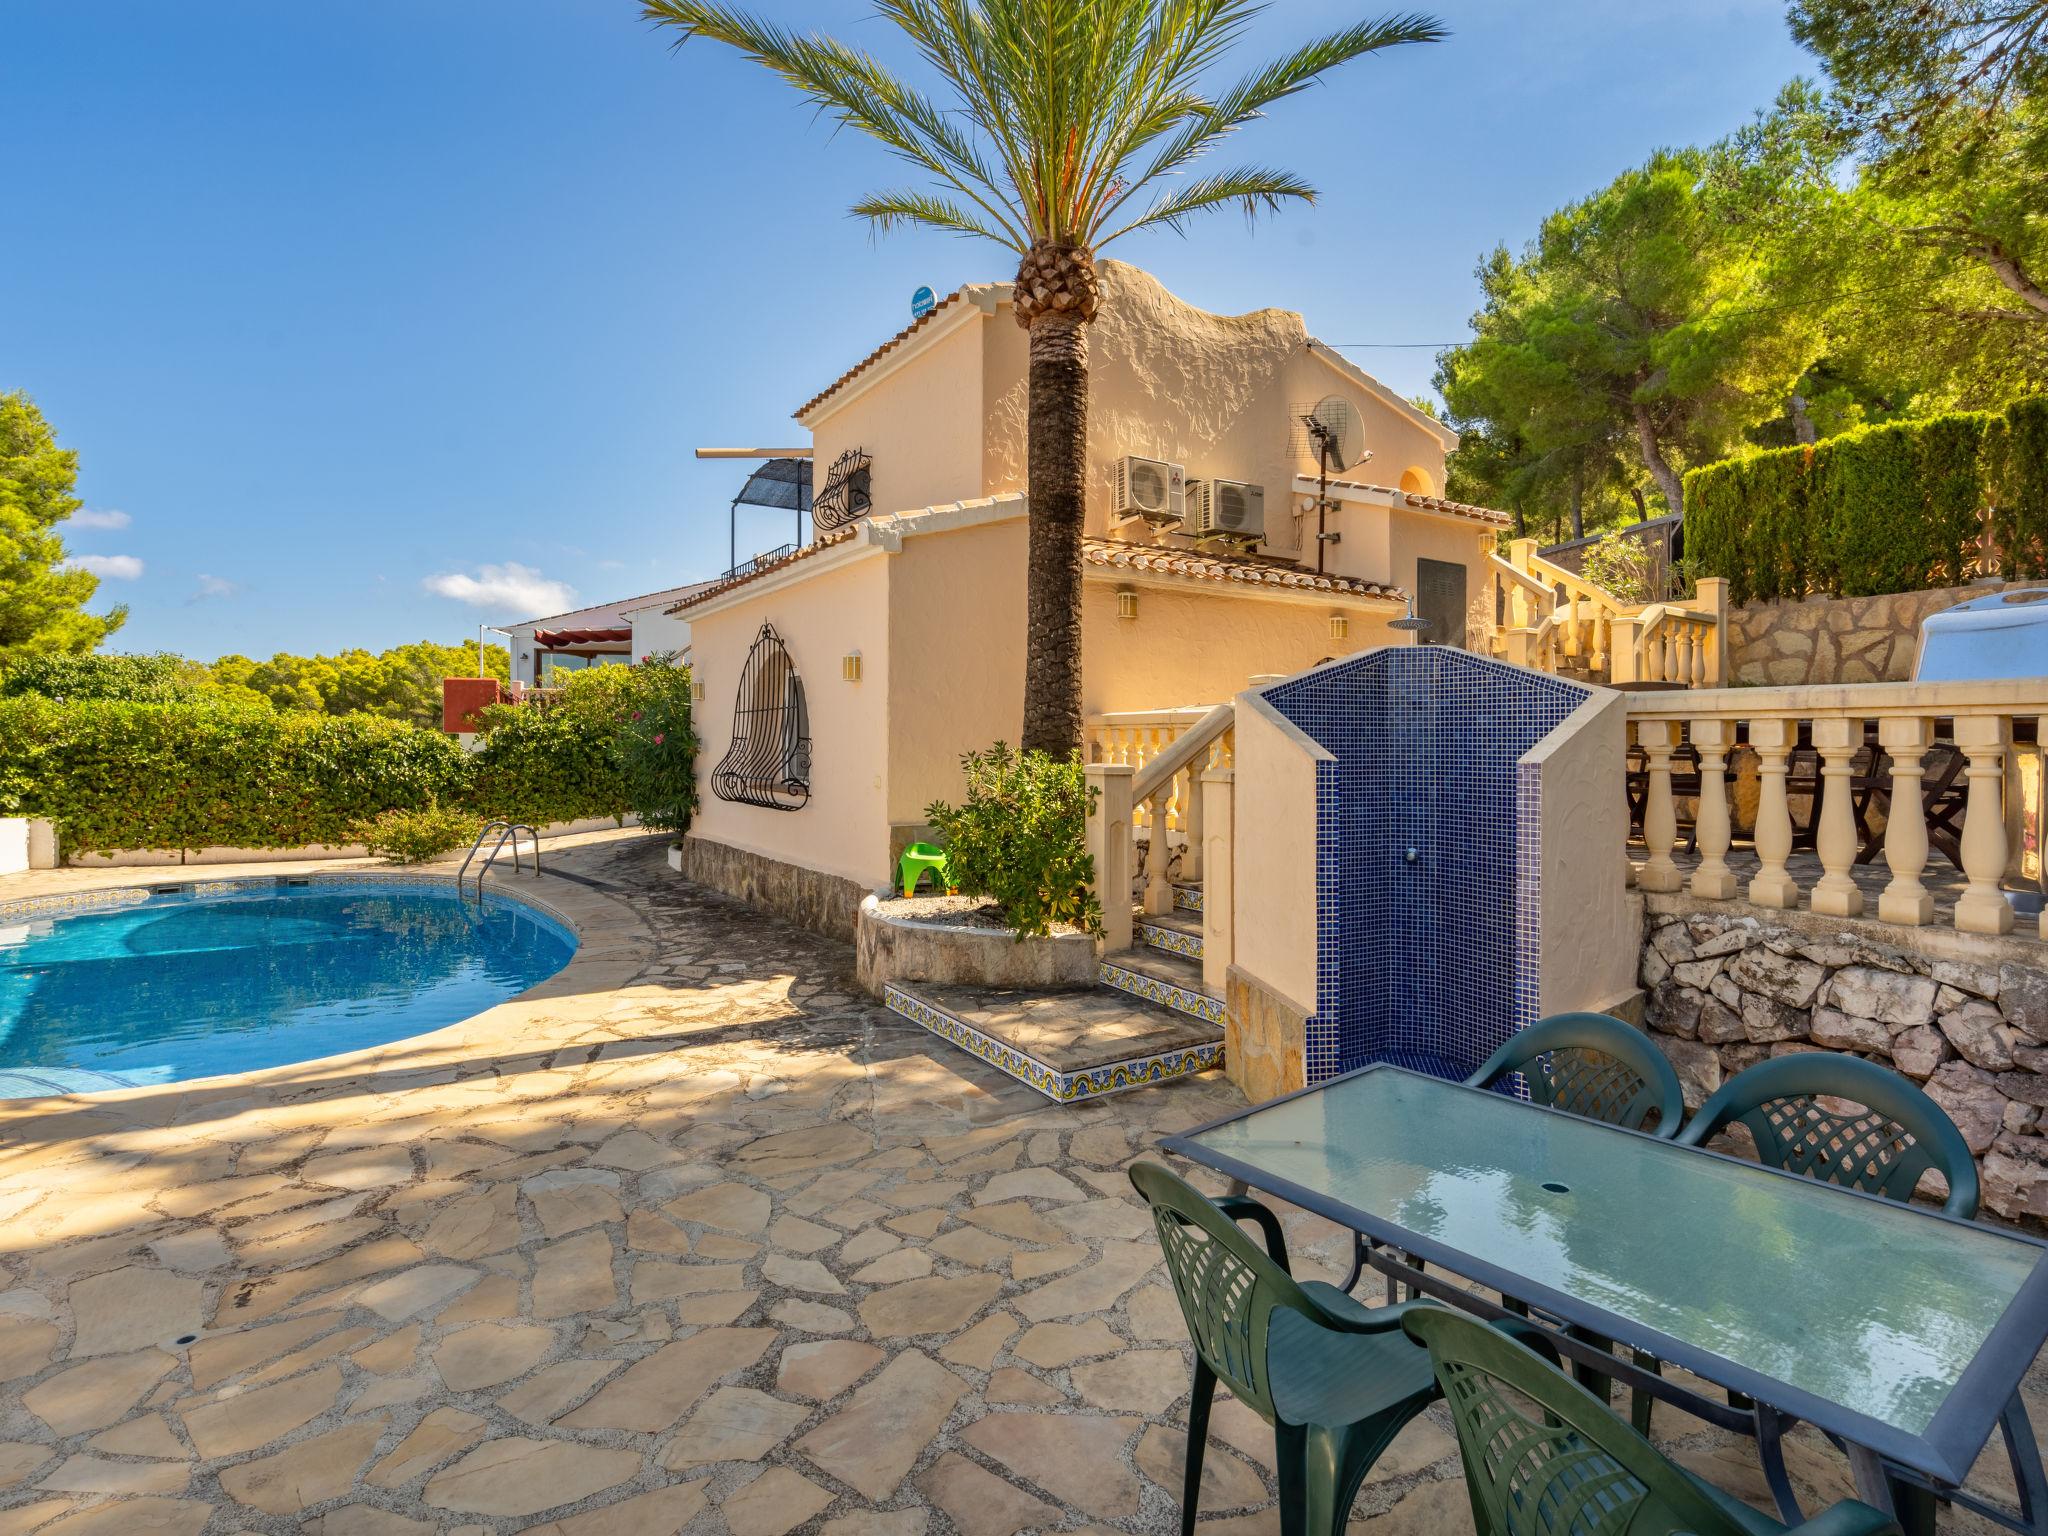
point(1273, 908)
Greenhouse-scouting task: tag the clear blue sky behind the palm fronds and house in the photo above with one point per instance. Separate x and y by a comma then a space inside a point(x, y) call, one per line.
point(337, 302)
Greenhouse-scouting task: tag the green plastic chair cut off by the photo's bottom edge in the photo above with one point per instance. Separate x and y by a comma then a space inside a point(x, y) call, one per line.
point(1543, 1457)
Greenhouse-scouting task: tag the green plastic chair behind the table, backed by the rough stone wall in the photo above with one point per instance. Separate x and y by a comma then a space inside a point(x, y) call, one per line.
point(1883, 1148)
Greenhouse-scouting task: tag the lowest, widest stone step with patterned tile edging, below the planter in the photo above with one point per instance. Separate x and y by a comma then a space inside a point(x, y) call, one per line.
point(1070, 1046)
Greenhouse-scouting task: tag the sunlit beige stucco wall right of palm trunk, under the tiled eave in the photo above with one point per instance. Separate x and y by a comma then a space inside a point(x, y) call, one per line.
point(1199, 648)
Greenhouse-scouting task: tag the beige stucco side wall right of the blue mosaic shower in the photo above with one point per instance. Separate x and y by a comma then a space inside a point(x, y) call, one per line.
point(1590, 927)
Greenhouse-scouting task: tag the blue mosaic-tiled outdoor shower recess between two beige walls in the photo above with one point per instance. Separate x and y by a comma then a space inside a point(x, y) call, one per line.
point(1428, 855)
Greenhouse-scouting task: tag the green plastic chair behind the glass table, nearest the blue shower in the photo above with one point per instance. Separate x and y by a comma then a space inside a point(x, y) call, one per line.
point(1592, 1066)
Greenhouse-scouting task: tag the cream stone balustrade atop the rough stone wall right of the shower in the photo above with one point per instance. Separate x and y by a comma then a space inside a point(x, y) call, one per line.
point(1912, 749)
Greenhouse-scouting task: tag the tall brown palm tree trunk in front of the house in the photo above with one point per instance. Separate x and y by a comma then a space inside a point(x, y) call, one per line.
point(1058, 476)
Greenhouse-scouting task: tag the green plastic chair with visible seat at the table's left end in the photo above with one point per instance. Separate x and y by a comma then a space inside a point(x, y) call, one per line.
point(1334, 1379)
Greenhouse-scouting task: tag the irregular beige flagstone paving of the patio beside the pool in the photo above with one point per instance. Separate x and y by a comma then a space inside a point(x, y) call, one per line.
point(693, 1240)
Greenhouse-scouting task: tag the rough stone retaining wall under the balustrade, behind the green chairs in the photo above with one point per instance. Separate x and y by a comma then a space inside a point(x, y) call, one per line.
point(1730, 990)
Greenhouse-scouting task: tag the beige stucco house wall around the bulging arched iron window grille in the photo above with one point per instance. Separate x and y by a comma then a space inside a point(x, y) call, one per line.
point(837, 609)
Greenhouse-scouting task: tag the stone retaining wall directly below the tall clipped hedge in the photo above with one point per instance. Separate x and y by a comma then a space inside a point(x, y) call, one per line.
point(1838, 640)
